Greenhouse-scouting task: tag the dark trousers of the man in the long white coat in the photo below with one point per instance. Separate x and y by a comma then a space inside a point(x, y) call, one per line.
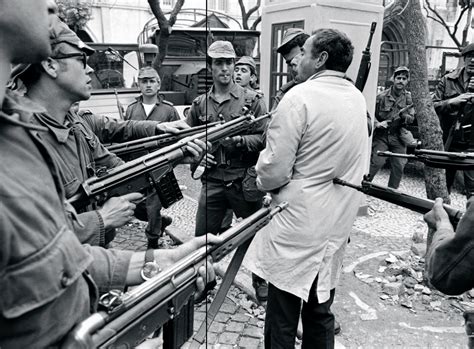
point(283, 312)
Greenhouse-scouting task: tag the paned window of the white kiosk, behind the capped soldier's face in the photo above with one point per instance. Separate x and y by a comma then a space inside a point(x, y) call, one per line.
point(279, 69)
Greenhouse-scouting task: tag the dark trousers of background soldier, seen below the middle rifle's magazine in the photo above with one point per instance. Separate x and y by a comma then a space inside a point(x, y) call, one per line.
point(150, 211)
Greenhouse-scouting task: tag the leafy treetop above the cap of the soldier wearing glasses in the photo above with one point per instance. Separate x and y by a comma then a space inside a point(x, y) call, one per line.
point(75, 13)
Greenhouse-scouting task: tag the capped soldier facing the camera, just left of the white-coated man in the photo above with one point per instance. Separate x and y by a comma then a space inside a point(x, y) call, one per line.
point(229, 179)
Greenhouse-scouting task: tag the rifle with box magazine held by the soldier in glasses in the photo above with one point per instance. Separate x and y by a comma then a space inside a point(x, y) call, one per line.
point(155, 170)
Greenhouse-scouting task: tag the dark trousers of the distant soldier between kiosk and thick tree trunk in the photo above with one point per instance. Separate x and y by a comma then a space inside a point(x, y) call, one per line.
point(383, 141)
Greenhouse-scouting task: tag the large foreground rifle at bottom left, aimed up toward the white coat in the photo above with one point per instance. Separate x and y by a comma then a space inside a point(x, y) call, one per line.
point(125, 319)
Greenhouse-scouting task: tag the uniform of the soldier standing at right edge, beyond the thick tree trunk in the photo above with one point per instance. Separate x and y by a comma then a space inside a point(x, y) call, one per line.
point(452, 85)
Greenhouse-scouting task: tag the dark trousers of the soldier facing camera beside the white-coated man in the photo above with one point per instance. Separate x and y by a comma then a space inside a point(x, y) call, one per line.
point(215, 198)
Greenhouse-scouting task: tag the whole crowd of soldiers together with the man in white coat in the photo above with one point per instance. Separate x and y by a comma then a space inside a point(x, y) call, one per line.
point(55, 261)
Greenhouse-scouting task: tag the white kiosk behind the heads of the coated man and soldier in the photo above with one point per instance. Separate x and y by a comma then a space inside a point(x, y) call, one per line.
point(352, 17)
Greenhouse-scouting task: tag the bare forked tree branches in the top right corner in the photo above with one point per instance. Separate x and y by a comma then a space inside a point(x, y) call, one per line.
point(466, 8)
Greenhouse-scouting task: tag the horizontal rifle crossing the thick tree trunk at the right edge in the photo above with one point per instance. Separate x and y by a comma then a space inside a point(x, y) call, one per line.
point(437, 159)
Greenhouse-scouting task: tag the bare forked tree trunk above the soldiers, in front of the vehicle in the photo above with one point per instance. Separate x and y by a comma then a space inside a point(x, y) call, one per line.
point(166, 26)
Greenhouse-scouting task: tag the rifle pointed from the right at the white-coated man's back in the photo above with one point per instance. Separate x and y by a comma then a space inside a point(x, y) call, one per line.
point(396, 197)
